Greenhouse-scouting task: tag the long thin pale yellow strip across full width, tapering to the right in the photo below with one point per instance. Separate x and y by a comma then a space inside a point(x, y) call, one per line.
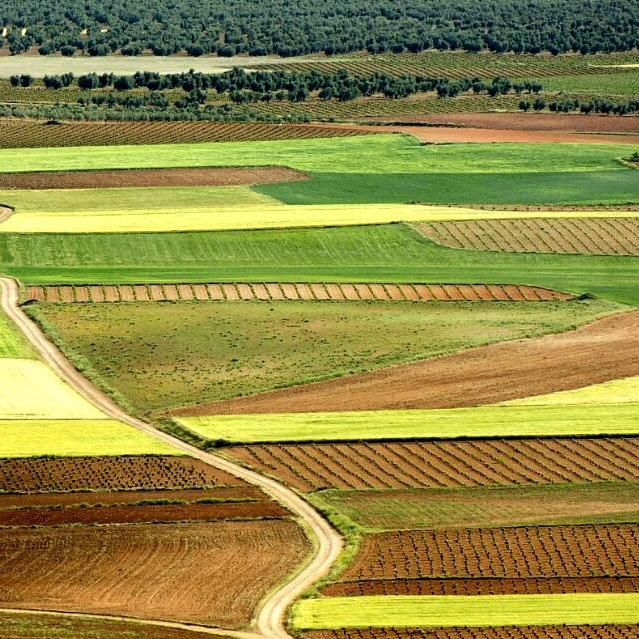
point(254, 217)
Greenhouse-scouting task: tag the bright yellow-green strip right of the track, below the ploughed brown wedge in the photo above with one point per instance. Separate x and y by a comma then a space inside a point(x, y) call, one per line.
point(482, 421)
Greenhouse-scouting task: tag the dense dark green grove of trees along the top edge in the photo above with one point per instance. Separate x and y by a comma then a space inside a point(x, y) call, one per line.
point(293, 27)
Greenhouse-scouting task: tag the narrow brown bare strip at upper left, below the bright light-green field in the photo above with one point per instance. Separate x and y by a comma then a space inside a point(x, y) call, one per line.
point(124, 178)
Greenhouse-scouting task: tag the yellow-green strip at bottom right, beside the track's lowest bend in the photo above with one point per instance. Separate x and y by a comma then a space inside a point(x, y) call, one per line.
point(488, 610)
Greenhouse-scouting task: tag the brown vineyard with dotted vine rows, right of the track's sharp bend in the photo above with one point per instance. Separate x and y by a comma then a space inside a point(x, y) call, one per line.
point(544, 551)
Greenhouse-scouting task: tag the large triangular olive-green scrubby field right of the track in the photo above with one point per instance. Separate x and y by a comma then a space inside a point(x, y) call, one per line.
point(162, 356)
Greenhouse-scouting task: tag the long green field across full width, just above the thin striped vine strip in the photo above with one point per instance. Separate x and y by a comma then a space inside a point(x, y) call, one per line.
point(390, 253)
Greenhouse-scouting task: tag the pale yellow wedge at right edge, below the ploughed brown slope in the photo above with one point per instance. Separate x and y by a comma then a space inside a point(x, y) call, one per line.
point(618, 391)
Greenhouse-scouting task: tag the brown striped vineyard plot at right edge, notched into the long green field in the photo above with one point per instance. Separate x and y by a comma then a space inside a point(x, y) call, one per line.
point(611, 236)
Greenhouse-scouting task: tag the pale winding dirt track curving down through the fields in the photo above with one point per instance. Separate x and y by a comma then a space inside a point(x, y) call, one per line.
point(271, 615)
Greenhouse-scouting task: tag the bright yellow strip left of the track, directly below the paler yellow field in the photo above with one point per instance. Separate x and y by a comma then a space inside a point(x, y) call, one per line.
point(76, 438)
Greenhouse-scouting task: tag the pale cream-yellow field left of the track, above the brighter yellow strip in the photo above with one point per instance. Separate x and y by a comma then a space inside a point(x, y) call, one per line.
point(31, 390)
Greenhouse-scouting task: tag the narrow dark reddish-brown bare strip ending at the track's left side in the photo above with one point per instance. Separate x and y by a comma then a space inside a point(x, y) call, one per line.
point(148, 513)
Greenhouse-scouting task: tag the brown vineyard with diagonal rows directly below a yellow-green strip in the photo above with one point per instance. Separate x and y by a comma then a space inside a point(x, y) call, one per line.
point(310, 467)
